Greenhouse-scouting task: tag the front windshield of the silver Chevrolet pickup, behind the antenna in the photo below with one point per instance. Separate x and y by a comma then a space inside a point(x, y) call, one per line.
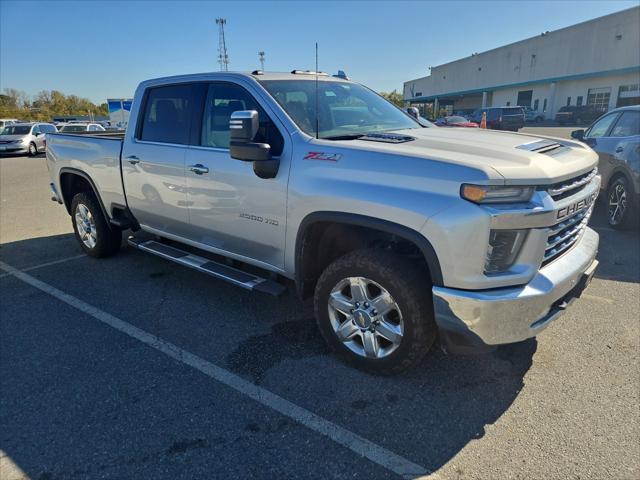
point(346, 109)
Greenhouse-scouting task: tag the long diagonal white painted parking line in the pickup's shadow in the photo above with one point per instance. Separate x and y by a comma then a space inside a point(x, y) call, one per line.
point(360, 445)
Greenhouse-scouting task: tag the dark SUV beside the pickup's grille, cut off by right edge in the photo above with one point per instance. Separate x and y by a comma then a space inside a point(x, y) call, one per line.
point(616, 138)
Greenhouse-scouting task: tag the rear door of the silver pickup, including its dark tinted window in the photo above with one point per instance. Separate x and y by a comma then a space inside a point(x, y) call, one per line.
point(153, 163)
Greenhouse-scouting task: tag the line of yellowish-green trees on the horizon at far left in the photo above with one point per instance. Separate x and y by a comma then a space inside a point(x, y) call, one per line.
point(45, 105)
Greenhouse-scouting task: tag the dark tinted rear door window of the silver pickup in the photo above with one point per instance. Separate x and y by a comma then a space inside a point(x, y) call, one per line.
point(168, 114)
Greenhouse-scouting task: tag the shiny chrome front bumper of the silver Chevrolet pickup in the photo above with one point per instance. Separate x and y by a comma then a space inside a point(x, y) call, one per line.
point(475, 320)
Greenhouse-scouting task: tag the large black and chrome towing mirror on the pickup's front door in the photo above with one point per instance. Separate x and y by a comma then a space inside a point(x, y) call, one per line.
point(243, 127)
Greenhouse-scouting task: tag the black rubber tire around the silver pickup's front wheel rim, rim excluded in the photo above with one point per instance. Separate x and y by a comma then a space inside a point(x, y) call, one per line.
point(410, 288)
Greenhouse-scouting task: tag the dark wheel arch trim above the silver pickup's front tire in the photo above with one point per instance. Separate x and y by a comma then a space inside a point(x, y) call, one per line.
point(386, 226)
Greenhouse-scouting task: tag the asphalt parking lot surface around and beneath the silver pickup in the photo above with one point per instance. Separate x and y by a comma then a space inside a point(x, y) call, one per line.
point(132, 367)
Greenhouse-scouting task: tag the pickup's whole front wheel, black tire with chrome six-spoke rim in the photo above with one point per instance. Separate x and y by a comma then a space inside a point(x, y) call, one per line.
point(374, 309)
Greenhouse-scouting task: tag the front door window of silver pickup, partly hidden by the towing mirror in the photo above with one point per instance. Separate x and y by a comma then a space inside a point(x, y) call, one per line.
point(222, 100)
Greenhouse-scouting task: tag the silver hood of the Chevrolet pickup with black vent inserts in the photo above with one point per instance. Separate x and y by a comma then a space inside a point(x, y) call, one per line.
point(516, 158)
